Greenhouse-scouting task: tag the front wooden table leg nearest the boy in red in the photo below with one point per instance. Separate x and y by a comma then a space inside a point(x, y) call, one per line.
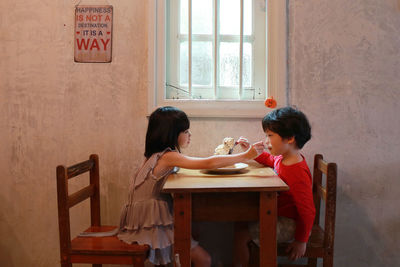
point(268, 218)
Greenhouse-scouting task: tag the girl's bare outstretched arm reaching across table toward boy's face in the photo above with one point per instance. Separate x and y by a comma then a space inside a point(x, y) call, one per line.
point(175, 159)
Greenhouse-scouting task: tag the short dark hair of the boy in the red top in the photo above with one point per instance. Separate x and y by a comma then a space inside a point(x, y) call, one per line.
point(288, 122)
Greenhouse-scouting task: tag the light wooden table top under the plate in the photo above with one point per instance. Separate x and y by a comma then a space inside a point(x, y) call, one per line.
point(255, 178)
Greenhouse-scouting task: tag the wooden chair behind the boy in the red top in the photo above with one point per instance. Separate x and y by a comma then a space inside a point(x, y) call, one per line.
point(321, 242)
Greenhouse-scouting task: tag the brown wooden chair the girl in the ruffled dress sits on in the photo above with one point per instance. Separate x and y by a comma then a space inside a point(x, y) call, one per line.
point(95, 250)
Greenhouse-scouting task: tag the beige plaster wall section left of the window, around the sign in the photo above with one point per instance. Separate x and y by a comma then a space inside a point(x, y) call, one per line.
point(55, 111)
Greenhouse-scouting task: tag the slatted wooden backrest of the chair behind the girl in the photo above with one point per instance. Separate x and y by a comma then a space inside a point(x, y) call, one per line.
point(66, 201)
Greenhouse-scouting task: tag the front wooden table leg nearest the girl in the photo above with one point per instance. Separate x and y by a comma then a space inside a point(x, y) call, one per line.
point(182, 228)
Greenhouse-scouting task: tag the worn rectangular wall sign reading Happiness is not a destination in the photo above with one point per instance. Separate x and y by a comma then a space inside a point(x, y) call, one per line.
point(93, 33)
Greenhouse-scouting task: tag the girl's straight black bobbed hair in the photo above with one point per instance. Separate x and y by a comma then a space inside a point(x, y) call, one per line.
point(165, 125)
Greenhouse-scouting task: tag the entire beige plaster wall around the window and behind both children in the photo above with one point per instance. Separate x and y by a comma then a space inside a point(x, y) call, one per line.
point(343, 72)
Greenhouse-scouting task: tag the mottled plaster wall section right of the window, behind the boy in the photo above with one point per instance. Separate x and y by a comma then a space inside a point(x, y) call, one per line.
point(344, 73)
